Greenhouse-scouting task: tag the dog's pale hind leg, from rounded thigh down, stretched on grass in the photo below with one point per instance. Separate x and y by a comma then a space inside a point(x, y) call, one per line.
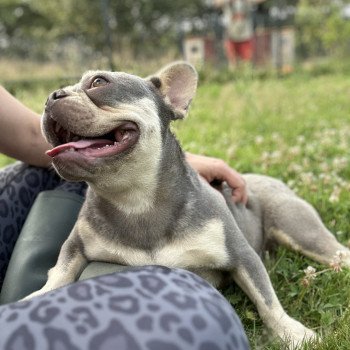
point(295, 223)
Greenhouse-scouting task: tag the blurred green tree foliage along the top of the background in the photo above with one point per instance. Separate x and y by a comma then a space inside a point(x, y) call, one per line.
point(76, 30)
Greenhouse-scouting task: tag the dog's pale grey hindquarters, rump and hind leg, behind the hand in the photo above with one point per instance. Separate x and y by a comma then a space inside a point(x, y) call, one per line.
point(292, 222)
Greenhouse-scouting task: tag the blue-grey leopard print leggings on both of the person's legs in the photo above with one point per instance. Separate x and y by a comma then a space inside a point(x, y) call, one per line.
point(151, 308)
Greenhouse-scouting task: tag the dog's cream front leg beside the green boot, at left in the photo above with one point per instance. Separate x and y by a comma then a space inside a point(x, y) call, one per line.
point(71, 261)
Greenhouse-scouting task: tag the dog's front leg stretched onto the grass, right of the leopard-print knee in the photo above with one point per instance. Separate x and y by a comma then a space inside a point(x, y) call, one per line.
point(252, 277)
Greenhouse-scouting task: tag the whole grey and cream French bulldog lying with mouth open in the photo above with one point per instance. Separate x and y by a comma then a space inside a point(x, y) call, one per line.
point(145, 204)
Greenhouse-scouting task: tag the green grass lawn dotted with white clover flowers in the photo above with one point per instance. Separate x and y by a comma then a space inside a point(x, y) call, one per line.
point(295, 128)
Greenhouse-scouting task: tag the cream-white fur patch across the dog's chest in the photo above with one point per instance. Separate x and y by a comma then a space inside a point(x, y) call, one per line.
point(201, 247)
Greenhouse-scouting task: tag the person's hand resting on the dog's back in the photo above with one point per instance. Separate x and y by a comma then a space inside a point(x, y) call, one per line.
point(216, 169)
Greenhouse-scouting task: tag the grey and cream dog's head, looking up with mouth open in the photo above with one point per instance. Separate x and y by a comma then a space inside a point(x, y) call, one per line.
point(113, 119)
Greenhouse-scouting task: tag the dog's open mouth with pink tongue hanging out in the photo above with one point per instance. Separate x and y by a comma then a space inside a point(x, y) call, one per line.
point(115, 142)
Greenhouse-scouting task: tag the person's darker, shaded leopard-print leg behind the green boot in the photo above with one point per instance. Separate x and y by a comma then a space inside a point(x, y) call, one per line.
point(19, 186)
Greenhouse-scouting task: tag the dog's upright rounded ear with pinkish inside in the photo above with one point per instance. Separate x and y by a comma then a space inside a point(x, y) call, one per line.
point(177, 84)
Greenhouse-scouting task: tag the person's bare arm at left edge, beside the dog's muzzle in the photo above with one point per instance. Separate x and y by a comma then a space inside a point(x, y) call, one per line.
point(20, 133)
